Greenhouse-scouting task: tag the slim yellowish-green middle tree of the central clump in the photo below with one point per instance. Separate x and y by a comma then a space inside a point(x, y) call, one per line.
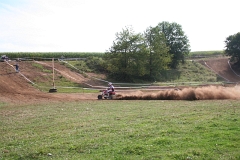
point(158, 57)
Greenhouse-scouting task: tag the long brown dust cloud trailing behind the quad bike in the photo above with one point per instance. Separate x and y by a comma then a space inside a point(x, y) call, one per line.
point(200, 93)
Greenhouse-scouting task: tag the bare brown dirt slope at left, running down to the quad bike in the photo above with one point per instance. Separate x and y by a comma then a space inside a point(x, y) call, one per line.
point(14, 88)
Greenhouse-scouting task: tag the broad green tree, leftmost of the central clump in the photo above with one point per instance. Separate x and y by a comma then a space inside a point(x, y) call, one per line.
point(125, 59)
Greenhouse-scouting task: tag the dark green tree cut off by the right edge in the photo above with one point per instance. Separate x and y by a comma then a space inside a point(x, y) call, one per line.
point(233, 47)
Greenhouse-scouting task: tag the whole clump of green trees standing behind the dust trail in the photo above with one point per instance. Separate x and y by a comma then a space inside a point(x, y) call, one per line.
point(146, 55)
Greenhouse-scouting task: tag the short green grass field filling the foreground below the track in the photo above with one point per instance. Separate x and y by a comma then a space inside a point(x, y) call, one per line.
point(121, 130)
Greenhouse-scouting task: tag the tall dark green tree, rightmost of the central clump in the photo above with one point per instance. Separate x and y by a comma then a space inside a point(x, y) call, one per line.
point(176, 40)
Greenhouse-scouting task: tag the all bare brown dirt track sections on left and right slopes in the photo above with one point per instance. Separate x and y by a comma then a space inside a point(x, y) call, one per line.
point(16, 89)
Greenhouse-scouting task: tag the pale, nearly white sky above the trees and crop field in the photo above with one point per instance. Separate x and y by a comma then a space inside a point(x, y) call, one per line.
point(91, 25)
